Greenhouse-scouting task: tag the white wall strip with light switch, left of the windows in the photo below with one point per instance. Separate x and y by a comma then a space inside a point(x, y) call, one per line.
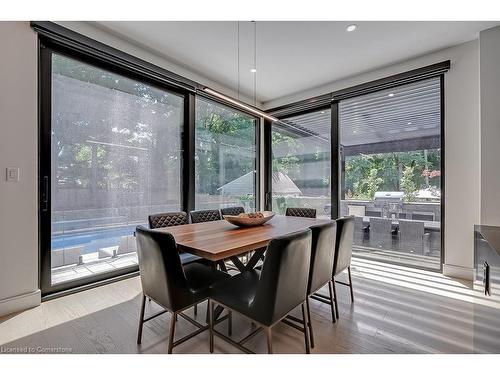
point(18, 147)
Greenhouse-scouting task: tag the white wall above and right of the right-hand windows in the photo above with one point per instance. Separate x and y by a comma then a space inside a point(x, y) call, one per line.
point(462, 144)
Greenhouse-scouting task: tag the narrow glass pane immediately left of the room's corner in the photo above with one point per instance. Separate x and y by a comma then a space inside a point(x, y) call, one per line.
point(226, 157)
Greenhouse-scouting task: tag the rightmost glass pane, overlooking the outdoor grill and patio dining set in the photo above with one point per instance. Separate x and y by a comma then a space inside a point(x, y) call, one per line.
point(390, 172)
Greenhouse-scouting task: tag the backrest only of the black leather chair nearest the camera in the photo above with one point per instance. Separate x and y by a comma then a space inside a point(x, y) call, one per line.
point(283, 280)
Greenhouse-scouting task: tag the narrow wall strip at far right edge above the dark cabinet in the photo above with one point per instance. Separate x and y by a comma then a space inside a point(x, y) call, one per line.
point(490, 126)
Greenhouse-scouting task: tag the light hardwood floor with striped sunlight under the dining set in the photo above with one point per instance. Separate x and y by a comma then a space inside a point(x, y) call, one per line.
point(396, 310)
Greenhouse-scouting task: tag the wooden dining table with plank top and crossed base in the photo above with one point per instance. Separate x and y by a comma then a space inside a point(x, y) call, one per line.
point(220, 240)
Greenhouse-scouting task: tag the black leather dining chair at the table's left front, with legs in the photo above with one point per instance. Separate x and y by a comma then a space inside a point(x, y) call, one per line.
point(172, 286)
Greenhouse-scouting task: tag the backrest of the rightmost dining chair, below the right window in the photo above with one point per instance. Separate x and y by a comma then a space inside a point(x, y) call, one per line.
point(343, 244)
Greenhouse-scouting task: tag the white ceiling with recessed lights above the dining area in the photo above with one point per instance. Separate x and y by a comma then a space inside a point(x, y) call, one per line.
point(291, 56)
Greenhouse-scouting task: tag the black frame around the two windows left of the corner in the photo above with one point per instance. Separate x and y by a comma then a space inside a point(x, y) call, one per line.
point(53, 38)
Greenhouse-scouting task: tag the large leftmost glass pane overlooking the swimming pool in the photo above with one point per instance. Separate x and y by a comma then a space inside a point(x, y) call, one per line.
point(111, 155)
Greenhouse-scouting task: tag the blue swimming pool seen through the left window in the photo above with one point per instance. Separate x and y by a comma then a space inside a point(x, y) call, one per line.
point(92, 240)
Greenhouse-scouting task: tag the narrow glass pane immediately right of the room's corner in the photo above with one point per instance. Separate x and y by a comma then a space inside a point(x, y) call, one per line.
point(301, 162)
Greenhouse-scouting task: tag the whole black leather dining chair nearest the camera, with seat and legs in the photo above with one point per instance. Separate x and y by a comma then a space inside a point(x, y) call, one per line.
point(267, 297)
